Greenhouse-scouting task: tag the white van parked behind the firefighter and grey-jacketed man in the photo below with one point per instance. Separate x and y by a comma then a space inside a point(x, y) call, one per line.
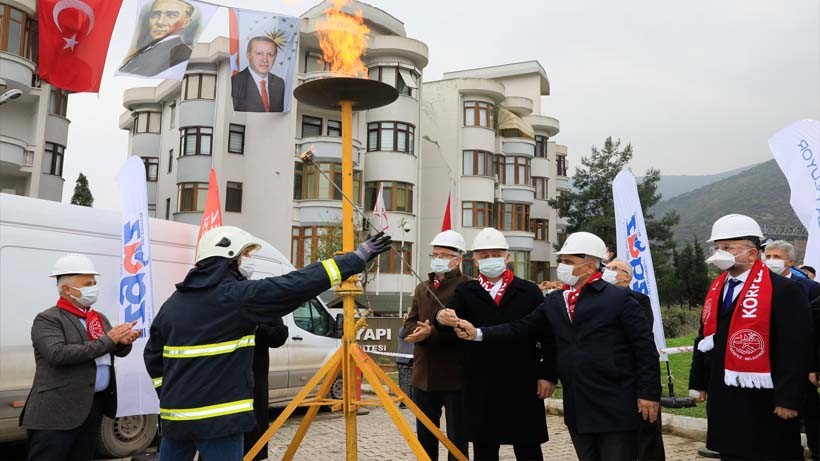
point(34, 233)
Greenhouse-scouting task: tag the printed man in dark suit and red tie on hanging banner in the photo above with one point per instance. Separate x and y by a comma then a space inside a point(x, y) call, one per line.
point(255, 89)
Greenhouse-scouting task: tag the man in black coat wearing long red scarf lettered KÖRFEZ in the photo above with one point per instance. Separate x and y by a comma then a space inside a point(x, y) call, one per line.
point(752, 354)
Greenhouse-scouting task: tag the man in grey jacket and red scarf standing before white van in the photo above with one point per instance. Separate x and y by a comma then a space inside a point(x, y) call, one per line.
point(74, 383)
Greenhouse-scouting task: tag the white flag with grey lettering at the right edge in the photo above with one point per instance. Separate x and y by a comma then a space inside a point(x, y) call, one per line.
point(796, 149)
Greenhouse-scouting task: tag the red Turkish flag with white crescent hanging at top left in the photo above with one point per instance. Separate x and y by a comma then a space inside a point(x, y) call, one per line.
point(74, 38)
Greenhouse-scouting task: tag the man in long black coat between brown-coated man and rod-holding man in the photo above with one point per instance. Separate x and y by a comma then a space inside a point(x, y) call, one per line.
point(504, 384)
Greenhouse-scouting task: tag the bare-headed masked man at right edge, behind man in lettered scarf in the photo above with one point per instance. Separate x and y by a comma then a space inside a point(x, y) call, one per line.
point(780, 258)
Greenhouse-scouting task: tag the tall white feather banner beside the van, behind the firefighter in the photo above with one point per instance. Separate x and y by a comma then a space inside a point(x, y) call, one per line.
point(135, 391)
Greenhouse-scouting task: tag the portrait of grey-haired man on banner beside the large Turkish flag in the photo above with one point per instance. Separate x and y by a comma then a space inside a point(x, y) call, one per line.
point(161, 45)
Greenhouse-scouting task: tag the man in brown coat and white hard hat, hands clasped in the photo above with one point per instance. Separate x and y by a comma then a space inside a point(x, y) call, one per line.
point(438, 371)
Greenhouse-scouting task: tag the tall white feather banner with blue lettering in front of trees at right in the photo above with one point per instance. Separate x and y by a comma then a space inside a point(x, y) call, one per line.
point(633, 247)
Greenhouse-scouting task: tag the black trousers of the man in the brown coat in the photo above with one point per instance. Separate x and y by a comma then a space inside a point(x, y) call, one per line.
point(431, 403)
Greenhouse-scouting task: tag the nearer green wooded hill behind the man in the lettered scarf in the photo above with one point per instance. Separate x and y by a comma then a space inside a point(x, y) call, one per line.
point(760, 192)
